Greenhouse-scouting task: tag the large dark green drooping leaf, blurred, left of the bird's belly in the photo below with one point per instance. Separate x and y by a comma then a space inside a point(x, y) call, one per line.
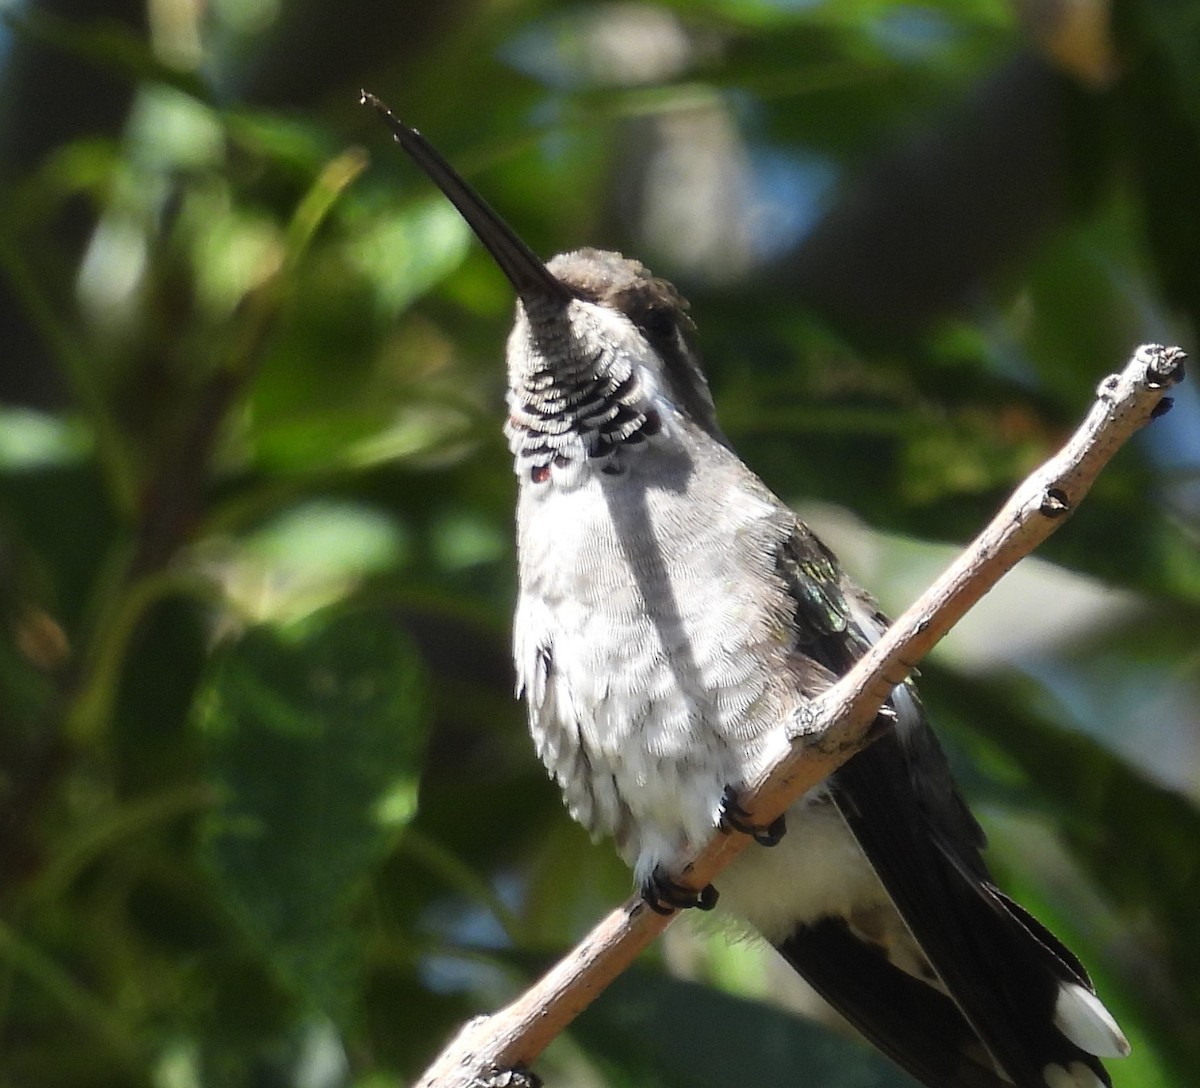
point(316, 734)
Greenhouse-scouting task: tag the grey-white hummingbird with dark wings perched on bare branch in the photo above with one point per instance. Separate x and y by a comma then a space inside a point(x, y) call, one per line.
point(674, 616)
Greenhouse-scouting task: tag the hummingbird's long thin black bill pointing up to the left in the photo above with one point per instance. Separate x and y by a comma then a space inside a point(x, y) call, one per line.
point(532, 280)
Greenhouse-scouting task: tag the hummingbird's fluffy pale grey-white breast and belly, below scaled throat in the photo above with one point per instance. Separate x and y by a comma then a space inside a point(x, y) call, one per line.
point(651, 641)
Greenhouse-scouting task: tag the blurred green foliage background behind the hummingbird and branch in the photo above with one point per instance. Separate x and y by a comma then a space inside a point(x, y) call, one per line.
point(268, 812)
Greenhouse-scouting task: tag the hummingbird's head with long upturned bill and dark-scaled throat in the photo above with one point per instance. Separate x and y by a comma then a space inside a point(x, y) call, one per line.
point(601, 350)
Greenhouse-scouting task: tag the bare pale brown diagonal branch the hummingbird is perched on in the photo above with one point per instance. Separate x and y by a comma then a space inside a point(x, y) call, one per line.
point(835, 728)
